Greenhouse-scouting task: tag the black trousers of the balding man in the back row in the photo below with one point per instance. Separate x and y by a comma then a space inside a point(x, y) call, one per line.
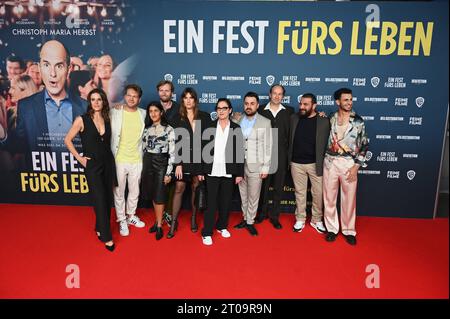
point(277, 182)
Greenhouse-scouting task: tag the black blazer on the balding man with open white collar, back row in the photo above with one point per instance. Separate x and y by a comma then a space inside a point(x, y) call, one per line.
point(282, 123)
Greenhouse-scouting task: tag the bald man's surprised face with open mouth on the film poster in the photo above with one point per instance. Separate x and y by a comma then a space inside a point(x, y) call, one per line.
point(54, 68)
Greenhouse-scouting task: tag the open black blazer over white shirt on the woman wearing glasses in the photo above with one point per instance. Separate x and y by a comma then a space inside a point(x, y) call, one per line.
point(234, 150)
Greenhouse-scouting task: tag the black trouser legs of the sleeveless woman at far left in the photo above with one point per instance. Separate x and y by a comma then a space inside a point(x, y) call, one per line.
point(100, 188)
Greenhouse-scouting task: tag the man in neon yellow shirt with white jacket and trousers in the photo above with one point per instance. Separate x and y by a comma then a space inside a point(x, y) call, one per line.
point(127, 127)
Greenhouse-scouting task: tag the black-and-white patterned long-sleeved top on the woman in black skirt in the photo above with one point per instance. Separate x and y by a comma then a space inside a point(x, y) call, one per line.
point(160, 140)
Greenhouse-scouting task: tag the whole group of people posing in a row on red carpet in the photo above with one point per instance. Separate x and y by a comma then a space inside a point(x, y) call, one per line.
point(156, 151)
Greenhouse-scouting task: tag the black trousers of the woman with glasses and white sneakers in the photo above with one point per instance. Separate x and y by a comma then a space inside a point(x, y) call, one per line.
point(219, 195)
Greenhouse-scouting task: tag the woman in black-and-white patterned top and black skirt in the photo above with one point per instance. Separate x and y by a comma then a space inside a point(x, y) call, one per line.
point(159, 155)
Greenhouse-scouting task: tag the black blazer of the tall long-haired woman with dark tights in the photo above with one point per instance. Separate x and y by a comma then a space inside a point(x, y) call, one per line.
point(186, 146)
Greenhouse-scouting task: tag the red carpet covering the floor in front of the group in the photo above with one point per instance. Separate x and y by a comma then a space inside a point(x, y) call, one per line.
point(38, 242)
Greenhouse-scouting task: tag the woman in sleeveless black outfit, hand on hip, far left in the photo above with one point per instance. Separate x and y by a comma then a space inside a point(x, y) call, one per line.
point(95, 132)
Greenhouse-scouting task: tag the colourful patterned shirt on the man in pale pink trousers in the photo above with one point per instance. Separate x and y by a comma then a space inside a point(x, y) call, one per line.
point(353, 144)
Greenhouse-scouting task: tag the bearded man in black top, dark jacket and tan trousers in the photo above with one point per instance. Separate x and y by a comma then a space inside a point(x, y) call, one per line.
point(309, 137)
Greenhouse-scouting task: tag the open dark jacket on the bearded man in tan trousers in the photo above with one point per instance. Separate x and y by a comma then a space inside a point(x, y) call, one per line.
point(322, 134)
